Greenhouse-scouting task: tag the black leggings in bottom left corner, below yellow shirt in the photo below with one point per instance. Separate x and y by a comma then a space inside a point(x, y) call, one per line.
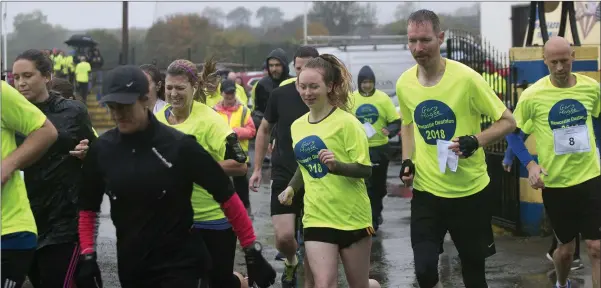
point(14, 267)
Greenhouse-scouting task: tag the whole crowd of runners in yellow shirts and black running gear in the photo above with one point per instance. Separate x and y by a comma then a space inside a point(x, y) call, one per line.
point(175, 167)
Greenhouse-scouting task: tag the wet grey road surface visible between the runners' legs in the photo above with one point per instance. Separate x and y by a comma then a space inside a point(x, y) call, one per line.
point(519, 262)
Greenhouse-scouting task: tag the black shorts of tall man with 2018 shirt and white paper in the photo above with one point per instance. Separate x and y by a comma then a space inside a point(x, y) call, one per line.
point(467, 219)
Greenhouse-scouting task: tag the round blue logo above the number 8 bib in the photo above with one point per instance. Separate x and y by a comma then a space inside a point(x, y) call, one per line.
point(566, 113)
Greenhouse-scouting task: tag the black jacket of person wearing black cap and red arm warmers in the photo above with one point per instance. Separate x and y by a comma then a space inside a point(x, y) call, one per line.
point(148, 177)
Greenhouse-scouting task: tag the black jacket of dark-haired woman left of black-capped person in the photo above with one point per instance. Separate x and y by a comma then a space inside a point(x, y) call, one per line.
point(54, 180)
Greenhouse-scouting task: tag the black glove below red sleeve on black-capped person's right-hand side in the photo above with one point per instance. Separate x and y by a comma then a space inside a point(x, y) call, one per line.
point(259, 270)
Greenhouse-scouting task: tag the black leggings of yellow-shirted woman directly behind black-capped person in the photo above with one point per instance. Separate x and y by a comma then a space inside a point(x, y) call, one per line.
point(222, 247)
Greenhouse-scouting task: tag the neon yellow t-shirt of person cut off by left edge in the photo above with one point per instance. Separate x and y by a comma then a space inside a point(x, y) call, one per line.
point(18, 115)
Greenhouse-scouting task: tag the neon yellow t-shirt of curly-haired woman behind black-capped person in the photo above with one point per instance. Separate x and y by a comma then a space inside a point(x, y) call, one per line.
point(210, 131)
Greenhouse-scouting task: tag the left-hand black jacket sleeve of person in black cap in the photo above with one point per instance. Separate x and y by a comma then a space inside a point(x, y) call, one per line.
point(93, 185)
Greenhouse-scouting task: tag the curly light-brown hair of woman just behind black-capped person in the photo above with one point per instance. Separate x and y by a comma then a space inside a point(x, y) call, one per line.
point(205, 82)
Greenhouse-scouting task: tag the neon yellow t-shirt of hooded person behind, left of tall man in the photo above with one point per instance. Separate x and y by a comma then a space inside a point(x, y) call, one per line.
point(376, 109)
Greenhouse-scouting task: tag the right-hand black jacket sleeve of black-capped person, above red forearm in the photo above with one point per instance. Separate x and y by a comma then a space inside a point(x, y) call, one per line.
point(203, 170)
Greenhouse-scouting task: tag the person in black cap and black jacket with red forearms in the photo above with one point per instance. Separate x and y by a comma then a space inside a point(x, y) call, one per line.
point(148, 170)
